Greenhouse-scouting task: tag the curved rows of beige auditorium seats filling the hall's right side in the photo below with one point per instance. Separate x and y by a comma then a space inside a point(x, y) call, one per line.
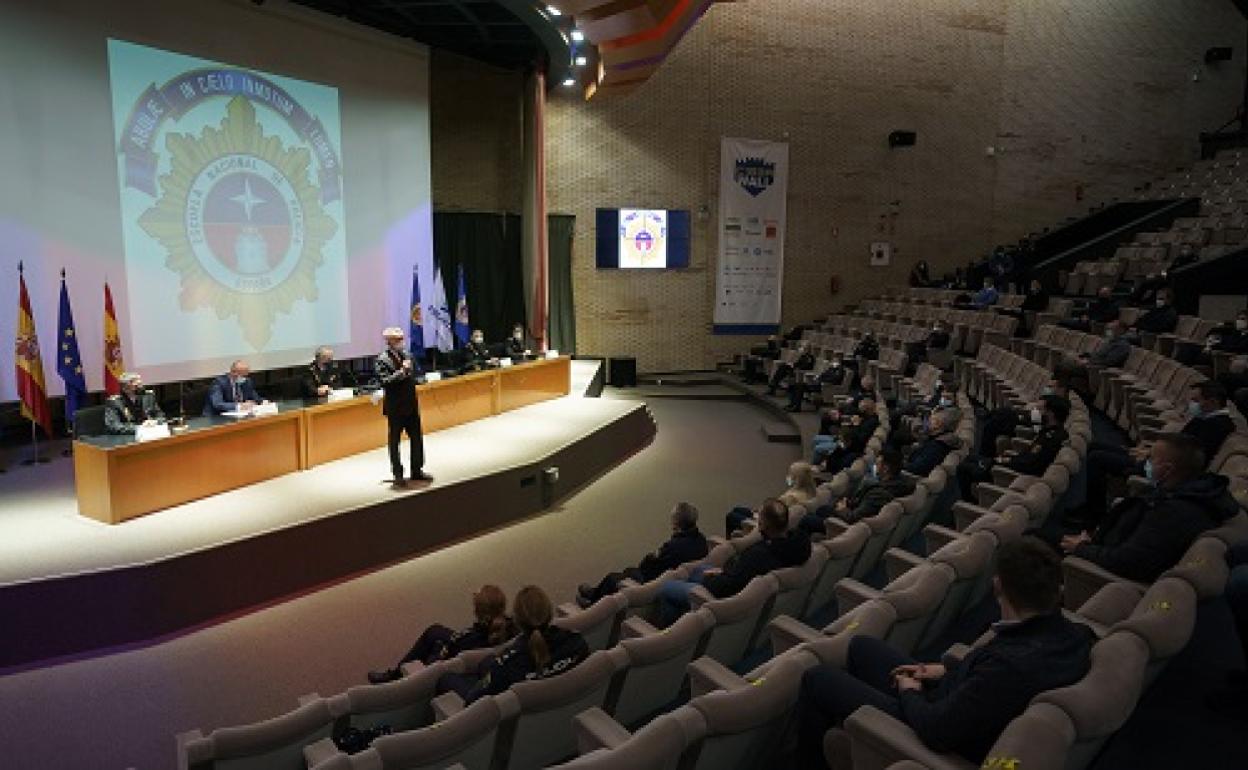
point(719, 687)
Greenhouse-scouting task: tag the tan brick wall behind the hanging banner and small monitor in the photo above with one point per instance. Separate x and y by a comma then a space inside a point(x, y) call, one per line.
point(1075, 95)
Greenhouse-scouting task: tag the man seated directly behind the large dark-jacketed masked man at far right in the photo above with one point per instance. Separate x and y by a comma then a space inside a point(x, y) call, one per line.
point(1210, 424)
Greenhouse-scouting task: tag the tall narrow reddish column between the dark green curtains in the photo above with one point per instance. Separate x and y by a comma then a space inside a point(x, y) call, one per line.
point(535, 210)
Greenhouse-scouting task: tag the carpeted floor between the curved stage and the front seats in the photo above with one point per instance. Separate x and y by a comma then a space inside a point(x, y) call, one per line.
point(123, 711)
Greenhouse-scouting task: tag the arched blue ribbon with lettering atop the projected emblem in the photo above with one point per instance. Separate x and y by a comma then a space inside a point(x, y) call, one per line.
point(180, 95)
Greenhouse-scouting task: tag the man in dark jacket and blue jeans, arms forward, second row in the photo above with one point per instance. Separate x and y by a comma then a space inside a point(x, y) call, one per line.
point(779, 548)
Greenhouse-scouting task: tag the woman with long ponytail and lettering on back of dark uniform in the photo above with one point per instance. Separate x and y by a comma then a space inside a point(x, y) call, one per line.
point(539, 652)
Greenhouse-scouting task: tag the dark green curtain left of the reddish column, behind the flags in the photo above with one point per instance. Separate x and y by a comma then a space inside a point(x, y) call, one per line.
point(489, 246)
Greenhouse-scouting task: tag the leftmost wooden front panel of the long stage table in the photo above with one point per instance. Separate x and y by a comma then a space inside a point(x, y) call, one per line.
point(153, 476)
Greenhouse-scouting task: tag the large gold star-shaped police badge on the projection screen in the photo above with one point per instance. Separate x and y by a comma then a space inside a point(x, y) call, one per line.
point(241, 220)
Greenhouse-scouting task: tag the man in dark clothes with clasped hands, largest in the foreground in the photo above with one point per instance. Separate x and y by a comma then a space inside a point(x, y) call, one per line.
point(964, 708)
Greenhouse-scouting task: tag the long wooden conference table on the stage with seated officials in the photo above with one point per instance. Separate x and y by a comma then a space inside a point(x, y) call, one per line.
point(119, 479)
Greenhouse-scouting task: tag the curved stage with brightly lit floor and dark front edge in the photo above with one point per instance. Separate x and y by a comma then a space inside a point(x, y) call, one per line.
point(71, 586)
